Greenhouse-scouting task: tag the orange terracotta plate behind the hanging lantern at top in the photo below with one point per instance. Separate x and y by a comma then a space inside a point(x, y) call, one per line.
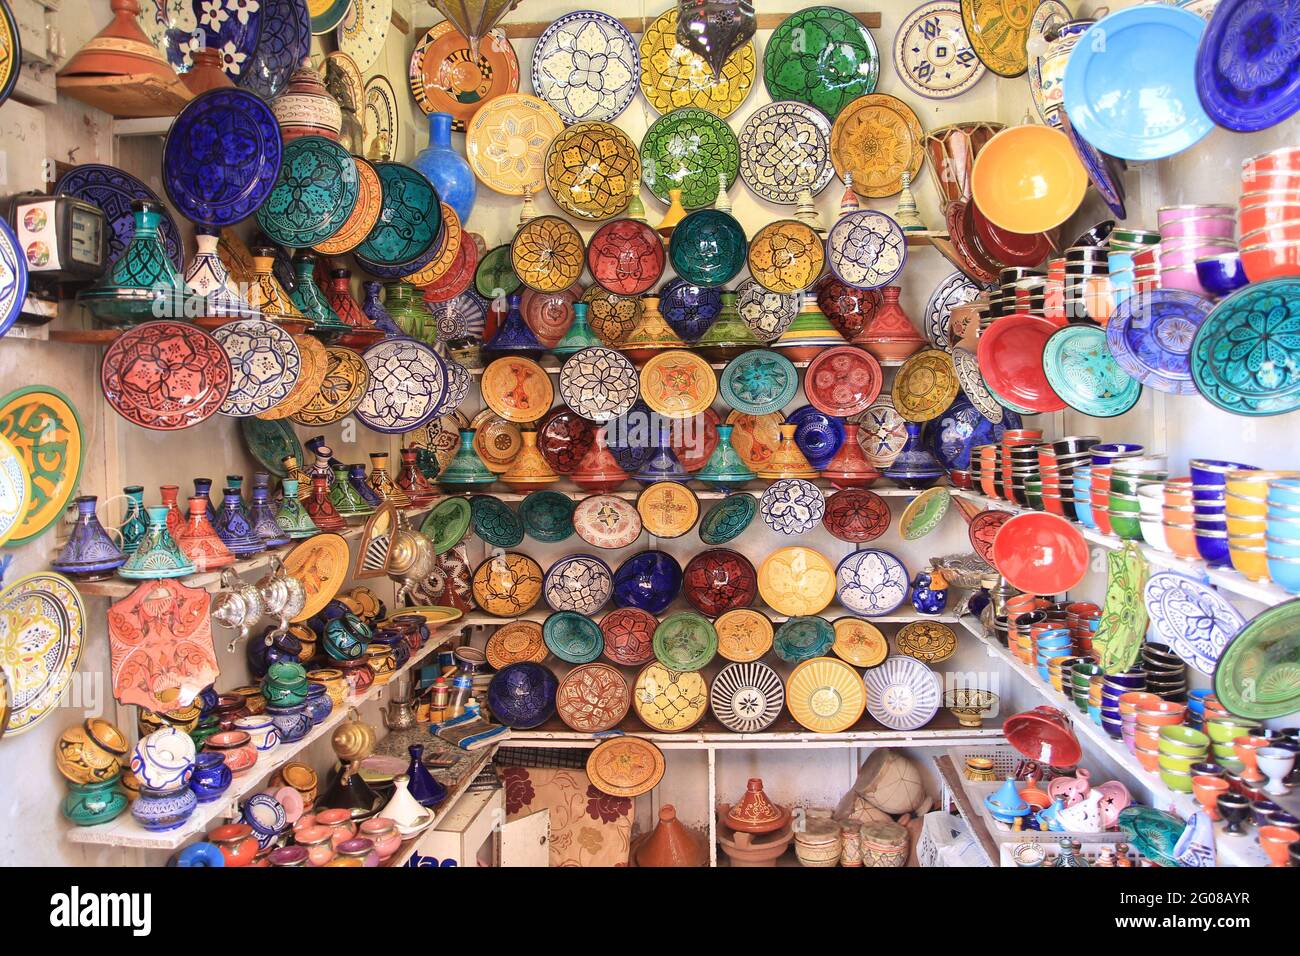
point(447, 79)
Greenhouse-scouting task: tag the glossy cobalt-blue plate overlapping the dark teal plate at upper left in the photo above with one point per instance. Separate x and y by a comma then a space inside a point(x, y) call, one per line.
point(222, 157)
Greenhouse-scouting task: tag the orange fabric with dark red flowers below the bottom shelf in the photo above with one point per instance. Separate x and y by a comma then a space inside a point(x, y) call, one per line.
point(588, 828)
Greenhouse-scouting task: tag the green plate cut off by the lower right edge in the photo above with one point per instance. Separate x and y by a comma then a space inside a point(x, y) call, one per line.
point(1258, 676)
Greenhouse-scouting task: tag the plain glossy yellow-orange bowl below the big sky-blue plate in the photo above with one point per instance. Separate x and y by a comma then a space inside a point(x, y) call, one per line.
point(1029, 180)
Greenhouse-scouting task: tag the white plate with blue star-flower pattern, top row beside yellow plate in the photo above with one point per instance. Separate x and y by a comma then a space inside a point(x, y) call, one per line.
point(587, 67)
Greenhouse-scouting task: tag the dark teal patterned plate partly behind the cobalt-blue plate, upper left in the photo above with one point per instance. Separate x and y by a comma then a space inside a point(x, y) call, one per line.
point(314, 194)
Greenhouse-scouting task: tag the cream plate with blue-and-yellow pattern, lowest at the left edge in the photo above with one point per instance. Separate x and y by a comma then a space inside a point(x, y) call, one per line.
point(42, 629)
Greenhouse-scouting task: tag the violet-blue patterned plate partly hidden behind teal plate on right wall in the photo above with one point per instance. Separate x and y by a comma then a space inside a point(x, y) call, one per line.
point(1151, 338)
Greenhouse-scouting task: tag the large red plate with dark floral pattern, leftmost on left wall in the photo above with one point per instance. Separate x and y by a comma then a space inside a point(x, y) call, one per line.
point(166, 375)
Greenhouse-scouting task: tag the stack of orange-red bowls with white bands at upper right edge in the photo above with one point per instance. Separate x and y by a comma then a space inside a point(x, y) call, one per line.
point(1269, 214)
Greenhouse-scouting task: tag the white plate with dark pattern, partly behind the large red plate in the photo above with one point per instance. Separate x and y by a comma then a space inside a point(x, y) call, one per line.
point(265, 366)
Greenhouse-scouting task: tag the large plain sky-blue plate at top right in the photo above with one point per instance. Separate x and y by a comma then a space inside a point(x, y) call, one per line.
point(1134, 97)
